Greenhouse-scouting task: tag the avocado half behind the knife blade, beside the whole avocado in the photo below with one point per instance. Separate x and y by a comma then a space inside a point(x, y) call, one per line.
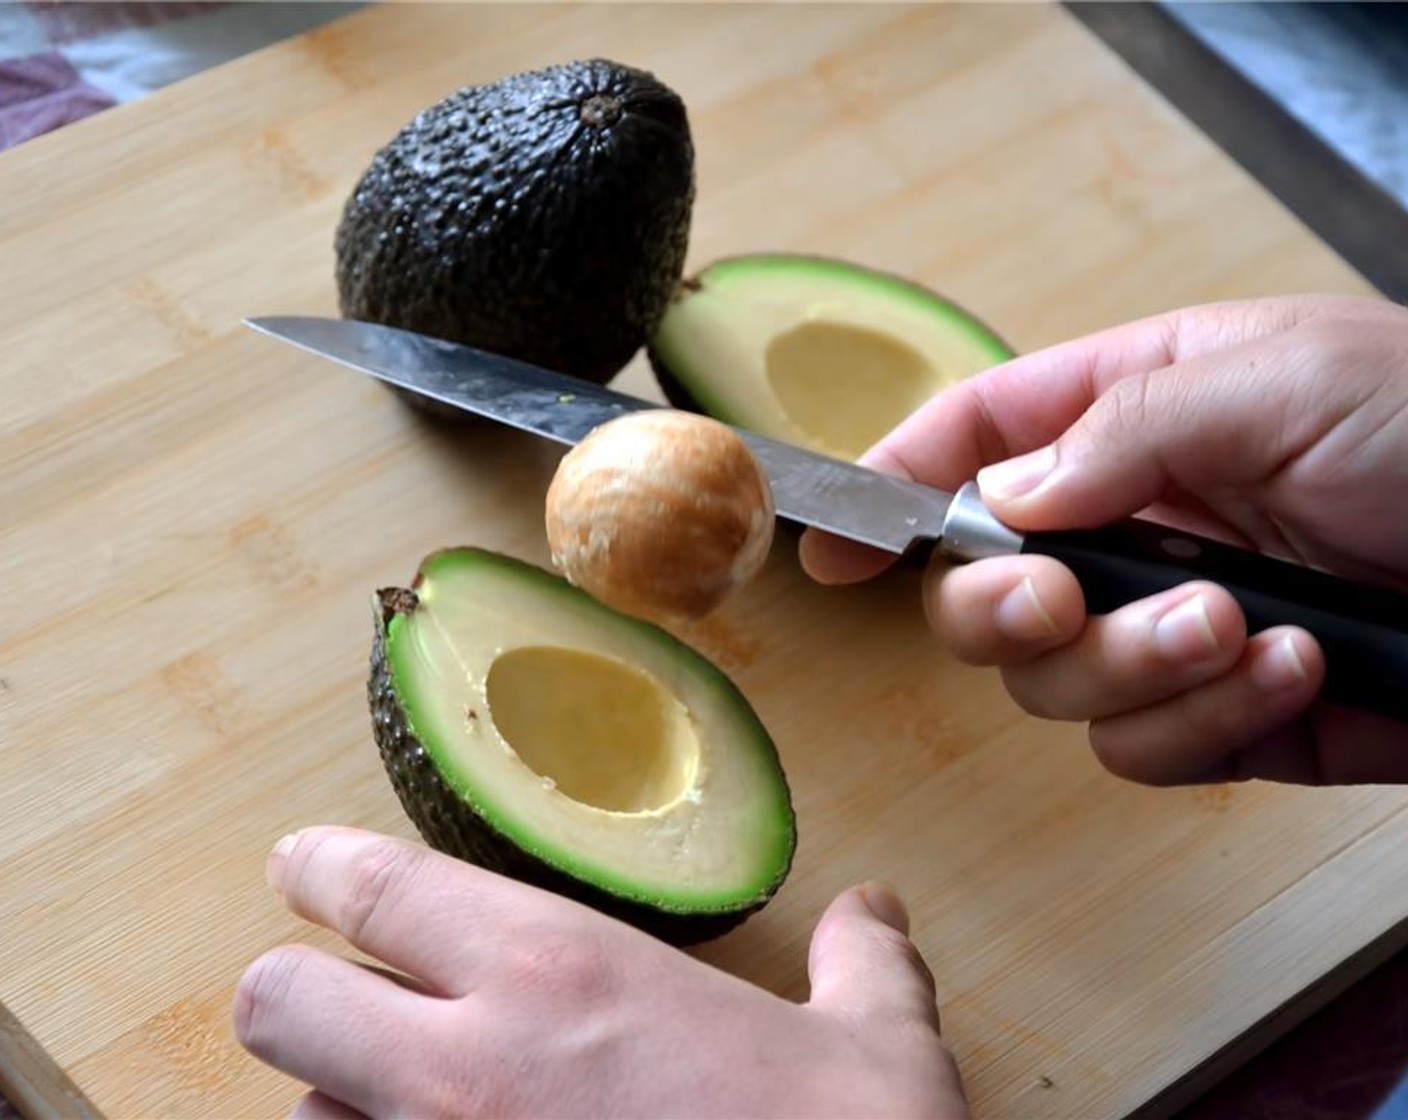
point(816, 351)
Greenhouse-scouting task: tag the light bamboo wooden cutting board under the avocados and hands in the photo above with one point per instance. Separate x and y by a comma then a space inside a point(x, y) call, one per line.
point(192, 521)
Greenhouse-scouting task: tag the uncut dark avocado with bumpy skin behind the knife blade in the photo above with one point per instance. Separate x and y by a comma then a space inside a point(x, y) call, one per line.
point(544, 216)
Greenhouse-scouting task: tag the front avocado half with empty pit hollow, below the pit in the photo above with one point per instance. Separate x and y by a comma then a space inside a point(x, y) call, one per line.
point(536, 732)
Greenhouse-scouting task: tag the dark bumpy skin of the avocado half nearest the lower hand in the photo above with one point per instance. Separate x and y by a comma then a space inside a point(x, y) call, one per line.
point(450, 825)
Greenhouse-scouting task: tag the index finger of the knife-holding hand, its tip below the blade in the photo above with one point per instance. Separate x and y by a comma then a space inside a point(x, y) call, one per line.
point(1027, 402)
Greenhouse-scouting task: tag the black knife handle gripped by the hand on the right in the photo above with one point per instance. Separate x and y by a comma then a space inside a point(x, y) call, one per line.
point(1364, 630)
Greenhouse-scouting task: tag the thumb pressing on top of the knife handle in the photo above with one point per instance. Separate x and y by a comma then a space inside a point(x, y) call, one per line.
point(1230, 419)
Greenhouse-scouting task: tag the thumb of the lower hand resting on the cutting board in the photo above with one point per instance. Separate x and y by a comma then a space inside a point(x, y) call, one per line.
point(864, 966)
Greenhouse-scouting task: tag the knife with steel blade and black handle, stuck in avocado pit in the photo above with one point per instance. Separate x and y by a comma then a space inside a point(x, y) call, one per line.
point(1364, 630)
